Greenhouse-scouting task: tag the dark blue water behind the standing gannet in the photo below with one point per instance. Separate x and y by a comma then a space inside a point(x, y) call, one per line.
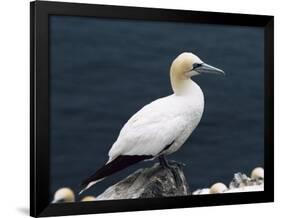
point(103, 71)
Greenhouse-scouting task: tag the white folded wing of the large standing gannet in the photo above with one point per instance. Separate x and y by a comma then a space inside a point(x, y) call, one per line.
point(147, 133)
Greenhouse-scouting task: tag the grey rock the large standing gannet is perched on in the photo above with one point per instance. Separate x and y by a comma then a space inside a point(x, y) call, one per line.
point(150, 182)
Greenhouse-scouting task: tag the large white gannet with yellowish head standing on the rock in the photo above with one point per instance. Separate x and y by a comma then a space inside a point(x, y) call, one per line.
point(161, 127)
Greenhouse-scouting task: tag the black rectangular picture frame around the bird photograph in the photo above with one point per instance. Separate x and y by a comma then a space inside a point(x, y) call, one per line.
point(40, 118)
